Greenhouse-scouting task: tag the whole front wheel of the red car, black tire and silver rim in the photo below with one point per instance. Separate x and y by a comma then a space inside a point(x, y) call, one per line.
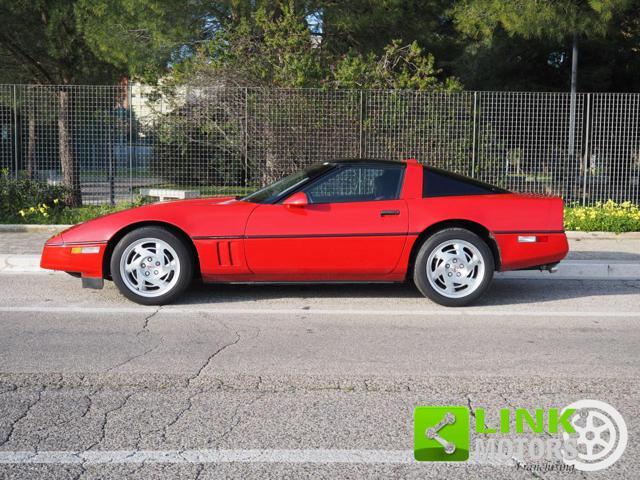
point(151, 266)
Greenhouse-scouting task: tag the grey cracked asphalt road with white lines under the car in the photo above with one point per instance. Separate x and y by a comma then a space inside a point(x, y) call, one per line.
point(295, 381)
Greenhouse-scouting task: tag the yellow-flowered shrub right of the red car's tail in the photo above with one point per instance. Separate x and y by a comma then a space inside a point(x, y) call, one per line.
point(603, 217)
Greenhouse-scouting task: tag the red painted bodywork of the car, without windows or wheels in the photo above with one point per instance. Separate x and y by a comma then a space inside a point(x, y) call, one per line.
point(238, 241)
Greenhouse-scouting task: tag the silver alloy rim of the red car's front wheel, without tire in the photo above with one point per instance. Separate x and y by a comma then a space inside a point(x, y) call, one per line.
point(149, 267)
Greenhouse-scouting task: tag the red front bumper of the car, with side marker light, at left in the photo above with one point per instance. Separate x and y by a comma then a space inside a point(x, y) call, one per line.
point(83, 258)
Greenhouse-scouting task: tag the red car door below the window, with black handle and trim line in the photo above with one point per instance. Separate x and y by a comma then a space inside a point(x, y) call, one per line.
point(351, 238)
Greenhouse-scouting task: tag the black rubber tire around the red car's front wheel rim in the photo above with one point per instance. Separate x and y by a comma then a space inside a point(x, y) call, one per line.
point(183, 255)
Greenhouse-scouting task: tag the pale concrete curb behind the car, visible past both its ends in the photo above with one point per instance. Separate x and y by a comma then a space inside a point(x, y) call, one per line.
point(567, 270)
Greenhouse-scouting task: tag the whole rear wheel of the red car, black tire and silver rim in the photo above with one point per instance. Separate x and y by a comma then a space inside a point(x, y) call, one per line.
point(453, 267)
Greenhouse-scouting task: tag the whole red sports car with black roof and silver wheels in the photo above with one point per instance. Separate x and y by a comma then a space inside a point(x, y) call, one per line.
point(341, 221)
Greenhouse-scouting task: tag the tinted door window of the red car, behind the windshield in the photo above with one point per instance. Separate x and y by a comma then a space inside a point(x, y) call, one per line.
point(357, 183)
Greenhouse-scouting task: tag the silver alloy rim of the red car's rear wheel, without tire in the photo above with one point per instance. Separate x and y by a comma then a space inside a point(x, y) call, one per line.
point(455, 268)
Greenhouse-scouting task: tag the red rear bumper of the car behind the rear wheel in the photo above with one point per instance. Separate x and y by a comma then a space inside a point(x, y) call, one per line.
point(519, 250)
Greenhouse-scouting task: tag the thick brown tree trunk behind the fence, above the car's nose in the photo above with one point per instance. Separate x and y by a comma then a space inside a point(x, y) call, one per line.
point(70, 177)
